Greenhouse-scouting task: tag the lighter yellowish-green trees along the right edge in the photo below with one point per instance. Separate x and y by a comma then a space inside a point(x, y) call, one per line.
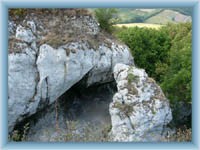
point(178, 79)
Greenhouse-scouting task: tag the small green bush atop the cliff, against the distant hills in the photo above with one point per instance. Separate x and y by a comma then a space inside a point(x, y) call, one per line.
point(106, 17)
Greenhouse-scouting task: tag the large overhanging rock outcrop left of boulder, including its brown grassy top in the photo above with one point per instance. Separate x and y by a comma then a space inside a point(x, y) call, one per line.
point(50, 53)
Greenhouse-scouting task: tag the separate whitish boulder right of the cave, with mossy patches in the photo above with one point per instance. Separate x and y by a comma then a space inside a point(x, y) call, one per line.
point(139, 111)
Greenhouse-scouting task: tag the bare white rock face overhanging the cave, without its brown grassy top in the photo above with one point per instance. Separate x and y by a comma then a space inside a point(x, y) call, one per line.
point(39, 75)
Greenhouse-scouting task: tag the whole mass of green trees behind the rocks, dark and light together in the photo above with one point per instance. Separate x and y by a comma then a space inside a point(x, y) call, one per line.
point(165, 54)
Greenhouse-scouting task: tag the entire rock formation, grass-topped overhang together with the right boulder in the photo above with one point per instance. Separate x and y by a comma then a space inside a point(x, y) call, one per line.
point(51, 50)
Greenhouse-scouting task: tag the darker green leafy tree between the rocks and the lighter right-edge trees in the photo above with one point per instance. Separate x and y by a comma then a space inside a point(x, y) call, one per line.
point(148, 46)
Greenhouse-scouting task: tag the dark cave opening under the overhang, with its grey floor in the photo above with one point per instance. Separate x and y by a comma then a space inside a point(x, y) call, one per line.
point(80, 114)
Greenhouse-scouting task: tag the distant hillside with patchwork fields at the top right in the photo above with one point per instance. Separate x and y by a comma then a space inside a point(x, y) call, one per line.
point(157, 16)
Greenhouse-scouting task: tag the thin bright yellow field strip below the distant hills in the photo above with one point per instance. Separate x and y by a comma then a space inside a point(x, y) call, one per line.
point(140, 25)
